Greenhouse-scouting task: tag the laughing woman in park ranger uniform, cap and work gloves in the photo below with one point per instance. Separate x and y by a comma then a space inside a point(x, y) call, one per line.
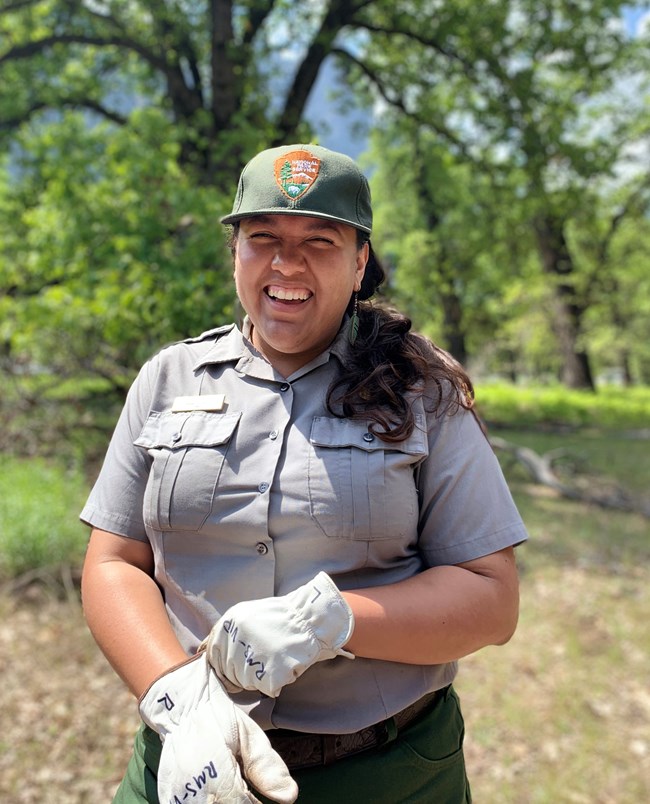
point(300, 528)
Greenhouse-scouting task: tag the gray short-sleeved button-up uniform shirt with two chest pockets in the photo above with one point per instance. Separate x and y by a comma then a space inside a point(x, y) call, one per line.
point(250, 497)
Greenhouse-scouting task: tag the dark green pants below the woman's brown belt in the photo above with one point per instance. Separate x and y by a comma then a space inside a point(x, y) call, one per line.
point(424, 764)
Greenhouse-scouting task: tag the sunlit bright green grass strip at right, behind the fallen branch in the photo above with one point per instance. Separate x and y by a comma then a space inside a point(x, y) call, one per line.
point(612, 407)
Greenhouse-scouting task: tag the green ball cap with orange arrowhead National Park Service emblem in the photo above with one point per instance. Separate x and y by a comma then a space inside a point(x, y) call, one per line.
point(303, 180)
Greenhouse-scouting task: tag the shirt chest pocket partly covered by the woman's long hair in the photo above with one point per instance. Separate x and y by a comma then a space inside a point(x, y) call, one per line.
point(360, 487)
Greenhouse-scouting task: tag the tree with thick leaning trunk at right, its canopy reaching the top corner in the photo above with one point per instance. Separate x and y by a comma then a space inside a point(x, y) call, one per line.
point(534, 87)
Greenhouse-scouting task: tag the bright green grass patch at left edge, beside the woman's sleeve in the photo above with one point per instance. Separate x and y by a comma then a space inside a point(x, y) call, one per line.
point(39, 510)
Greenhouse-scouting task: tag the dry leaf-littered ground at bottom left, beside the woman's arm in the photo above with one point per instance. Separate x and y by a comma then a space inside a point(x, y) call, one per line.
point(68, 720)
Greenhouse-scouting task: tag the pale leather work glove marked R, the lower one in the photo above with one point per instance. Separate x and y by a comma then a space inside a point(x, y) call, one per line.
point(208, 742)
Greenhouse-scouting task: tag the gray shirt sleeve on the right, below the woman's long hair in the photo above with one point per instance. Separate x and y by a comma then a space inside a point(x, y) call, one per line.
point(466, 508)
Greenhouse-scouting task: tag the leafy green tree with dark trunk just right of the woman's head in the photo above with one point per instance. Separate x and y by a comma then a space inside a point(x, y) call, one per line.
point(452, 243)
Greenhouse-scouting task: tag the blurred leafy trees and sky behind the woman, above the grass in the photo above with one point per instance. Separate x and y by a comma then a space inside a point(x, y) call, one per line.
point(508, 152)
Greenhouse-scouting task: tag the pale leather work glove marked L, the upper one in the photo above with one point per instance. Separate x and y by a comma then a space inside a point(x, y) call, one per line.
point(265, 644)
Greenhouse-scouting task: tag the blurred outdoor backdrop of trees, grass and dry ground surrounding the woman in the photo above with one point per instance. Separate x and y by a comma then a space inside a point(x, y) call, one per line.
point(507, 144)
